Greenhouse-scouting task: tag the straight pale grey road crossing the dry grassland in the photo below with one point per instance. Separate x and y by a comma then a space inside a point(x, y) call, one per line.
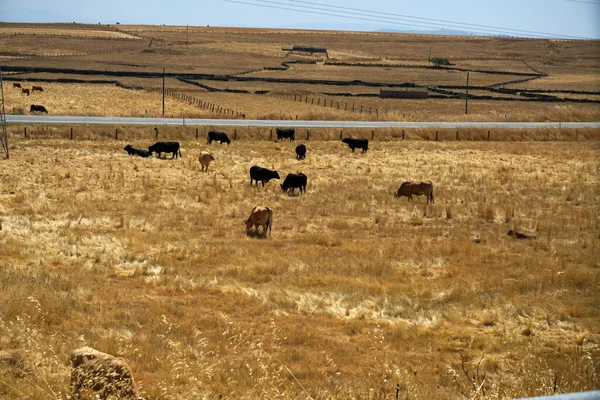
point(69, 120)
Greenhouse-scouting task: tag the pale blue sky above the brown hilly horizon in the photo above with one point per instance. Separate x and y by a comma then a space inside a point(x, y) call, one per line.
point(528, 18)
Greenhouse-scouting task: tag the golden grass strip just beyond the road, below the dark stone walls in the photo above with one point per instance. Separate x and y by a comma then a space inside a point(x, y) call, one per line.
point(107, 100)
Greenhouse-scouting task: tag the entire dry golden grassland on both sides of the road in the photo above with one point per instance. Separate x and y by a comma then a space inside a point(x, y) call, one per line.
point(356, 293)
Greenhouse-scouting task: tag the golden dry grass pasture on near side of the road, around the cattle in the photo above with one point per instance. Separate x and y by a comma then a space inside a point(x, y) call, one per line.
point(355, 292)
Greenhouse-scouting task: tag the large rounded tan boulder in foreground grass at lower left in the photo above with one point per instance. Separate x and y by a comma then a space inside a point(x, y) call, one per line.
point(103, 373)
